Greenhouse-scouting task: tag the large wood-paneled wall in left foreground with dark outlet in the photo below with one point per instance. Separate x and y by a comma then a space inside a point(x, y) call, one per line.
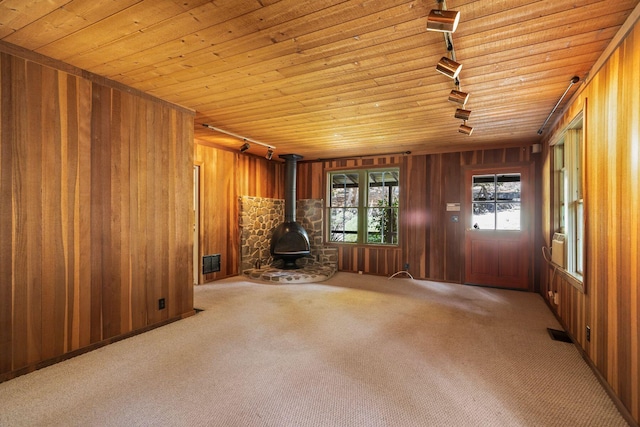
point(95, 196)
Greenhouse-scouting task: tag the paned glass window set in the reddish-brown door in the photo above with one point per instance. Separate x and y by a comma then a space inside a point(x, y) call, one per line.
point(496, 202)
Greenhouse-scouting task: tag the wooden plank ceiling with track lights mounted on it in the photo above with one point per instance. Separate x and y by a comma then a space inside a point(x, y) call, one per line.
point(331, 78)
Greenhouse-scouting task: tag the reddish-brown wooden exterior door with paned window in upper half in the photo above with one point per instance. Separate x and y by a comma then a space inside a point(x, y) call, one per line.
point(498, 233)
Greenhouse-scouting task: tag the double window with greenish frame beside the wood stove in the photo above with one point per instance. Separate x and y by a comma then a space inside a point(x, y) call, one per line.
point(362, 200)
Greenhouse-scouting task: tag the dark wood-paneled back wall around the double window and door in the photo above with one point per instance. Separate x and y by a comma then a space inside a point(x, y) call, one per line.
point(431, 243)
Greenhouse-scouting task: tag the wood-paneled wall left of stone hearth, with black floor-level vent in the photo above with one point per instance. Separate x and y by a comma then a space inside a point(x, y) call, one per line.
point(224, 177)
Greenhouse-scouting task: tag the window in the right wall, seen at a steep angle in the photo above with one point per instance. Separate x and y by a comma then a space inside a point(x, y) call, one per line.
point(568, 198)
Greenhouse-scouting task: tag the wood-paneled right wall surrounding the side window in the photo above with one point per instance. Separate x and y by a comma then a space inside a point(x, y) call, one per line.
point(610, 306)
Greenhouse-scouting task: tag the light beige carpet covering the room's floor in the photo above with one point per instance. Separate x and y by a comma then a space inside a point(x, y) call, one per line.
point(352, 351)
